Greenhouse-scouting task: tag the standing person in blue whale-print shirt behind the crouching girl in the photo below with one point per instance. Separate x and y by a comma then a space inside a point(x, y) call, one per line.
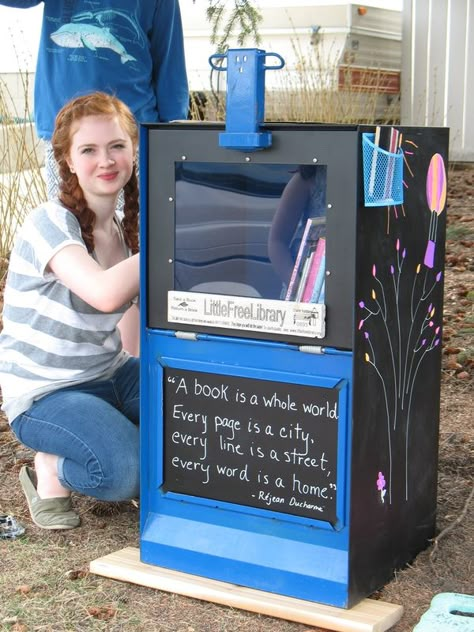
point(133, 49)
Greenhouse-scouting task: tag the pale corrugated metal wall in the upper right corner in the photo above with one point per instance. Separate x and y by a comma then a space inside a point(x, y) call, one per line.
point(438, 70)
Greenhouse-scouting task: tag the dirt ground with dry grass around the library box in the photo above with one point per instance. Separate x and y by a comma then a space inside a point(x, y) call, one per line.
point(45, 584)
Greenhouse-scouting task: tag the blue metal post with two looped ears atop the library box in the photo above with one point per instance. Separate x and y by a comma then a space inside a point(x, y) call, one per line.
point(245, 104)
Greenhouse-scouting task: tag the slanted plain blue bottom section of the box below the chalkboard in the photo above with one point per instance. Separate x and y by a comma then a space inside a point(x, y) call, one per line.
point(265, 562)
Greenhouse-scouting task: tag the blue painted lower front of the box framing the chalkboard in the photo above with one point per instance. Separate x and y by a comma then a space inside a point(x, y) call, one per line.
point(252, 546)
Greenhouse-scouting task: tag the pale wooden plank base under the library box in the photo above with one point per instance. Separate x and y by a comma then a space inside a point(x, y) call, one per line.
point(367, 616)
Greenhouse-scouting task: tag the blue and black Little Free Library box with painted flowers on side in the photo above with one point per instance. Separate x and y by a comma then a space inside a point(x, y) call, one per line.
point(291, 307)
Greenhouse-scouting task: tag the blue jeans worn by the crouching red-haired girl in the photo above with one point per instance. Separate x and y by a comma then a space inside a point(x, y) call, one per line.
point(93, 428)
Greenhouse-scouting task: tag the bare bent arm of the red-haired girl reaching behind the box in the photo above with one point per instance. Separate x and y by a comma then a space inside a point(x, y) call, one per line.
point(106, 290)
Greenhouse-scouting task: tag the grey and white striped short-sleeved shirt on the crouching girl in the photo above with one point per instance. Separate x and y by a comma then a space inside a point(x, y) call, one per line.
point(51, 338)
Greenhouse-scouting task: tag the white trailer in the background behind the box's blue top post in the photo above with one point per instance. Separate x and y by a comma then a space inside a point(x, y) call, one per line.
point(369, 36)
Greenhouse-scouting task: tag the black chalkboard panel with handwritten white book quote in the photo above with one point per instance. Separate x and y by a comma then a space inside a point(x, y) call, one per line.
point(258, 443)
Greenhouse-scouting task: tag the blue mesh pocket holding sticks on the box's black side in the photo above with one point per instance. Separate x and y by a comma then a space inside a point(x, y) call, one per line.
point(383, 174)
